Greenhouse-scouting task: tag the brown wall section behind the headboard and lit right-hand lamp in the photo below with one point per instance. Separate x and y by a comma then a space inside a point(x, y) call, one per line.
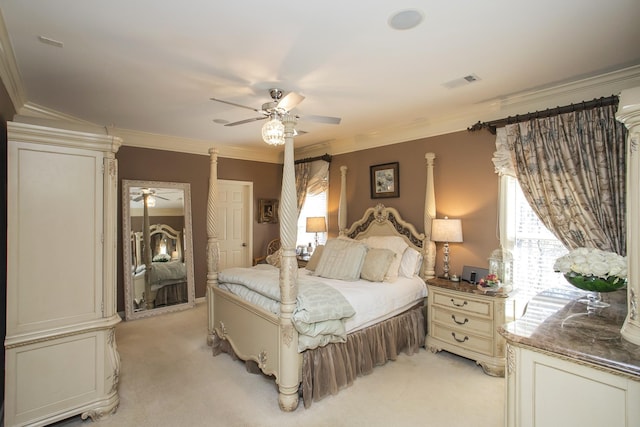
point(466, 187)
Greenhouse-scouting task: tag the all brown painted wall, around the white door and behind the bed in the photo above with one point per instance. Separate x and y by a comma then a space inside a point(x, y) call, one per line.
point(466, 187)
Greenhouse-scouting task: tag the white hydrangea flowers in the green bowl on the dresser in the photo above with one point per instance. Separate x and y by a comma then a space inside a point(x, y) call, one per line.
point(592, 262)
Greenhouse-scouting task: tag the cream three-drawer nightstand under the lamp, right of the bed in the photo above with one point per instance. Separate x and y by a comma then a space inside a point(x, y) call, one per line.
point(464, 321)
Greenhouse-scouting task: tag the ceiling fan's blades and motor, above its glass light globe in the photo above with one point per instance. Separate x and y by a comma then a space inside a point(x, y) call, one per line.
point(277, 107)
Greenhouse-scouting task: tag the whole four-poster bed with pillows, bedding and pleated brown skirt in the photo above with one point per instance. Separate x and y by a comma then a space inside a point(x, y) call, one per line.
point(281, 338)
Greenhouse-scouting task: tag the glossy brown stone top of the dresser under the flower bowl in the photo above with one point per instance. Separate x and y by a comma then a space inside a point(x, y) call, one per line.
point(556, 321)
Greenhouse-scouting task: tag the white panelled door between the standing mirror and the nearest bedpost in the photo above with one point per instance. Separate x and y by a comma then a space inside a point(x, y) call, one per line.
point(235, 232)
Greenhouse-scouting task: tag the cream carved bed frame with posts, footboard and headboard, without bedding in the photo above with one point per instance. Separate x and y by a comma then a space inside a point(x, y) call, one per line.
point(269, 340)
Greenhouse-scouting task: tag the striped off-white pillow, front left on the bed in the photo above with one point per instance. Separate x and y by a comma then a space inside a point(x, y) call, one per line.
point(341, 259)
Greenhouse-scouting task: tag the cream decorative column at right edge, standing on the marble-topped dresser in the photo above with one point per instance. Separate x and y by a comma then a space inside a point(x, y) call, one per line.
point(629, 114)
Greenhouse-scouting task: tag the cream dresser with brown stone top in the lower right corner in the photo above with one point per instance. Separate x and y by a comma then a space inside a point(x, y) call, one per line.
point(570, 367)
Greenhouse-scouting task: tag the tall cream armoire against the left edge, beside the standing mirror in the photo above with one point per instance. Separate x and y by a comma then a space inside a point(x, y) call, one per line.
point(60, 348)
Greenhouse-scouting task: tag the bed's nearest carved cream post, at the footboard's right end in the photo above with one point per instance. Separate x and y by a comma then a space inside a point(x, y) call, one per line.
point(289, 380)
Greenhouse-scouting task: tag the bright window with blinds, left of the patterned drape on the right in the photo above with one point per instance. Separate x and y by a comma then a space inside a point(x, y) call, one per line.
point(534, 248)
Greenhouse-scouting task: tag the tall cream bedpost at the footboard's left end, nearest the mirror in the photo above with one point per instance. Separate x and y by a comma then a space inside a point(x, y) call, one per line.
point(213, 248)
